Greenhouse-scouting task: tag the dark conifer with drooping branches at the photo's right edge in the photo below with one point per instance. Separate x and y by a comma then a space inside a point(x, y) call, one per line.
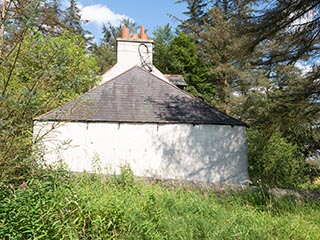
point(285, 34)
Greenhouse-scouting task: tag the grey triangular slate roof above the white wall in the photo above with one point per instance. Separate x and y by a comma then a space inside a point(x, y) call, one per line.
point(136, 96)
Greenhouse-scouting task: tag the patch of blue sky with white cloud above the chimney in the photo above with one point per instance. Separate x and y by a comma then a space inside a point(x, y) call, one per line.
point(144, 12)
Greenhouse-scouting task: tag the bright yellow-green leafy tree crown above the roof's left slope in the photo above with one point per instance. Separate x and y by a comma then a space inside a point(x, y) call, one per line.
point(55, 68)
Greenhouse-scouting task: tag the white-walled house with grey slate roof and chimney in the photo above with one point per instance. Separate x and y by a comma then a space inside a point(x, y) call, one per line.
point(137, 116)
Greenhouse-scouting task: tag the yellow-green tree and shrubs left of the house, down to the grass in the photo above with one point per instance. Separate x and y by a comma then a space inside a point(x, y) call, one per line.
point(41, 73)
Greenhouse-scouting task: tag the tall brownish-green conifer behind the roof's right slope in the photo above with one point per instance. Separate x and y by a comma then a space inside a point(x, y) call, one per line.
point(215, 27)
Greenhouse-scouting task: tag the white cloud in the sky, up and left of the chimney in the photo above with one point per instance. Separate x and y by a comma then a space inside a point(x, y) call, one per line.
point(100, 14)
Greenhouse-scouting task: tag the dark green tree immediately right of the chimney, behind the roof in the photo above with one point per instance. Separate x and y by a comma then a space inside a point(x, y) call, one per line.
point(177, 54)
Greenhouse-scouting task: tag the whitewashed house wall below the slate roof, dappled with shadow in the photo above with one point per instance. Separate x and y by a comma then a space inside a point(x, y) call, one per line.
point(209, 153)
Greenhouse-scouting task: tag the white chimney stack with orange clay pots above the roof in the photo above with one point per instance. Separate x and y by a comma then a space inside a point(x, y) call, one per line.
point(135, 49)
